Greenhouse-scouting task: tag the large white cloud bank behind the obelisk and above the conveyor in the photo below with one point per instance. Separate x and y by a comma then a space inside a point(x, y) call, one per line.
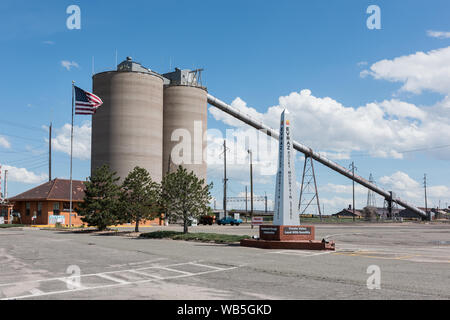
point(383, 129)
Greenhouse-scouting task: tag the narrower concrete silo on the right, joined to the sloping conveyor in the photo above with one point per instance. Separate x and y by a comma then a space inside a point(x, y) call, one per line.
point(185, 122)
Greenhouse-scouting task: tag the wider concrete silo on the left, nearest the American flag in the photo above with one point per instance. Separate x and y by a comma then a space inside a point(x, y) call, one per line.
point(127, 131)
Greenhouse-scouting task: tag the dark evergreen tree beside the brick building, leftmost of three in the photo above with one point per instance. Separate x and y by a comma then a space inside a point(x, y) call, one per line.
point(99, 207)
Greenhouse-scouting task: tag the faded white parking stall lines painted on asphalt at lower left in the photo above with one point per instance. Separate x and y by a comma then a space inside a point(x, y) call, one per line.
point(117, 284)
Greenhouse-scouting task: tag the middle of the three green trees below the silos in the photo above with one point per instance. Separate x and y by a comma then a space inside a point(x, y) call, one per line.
point(139, 197)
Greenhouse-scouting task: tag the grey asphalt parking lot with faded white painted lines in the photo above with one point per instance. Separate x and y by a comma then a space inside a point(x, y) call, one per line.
point(413, 260)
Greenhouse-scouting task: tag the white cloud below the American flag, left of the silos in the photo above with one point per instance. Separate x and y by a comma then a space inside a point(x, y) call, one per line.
point(81, 140)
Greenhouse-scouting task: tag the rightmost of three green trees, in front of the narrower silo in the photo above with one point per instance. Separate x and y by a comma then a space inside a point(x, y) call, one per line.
point(185, 196)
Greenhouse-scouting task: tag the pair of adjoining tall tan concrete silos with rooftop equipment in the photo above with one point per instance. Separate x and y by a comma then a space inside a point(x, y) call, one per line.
point(144, 116)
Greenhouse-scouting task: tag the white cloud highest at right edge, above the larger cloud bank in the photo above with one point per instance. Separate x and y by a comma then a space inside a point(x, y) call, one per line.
point(418, 72)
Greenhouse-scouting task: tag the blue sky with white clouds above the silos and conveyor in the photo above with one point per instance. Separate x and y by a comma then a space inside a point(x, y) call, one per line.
point(258, 51)
